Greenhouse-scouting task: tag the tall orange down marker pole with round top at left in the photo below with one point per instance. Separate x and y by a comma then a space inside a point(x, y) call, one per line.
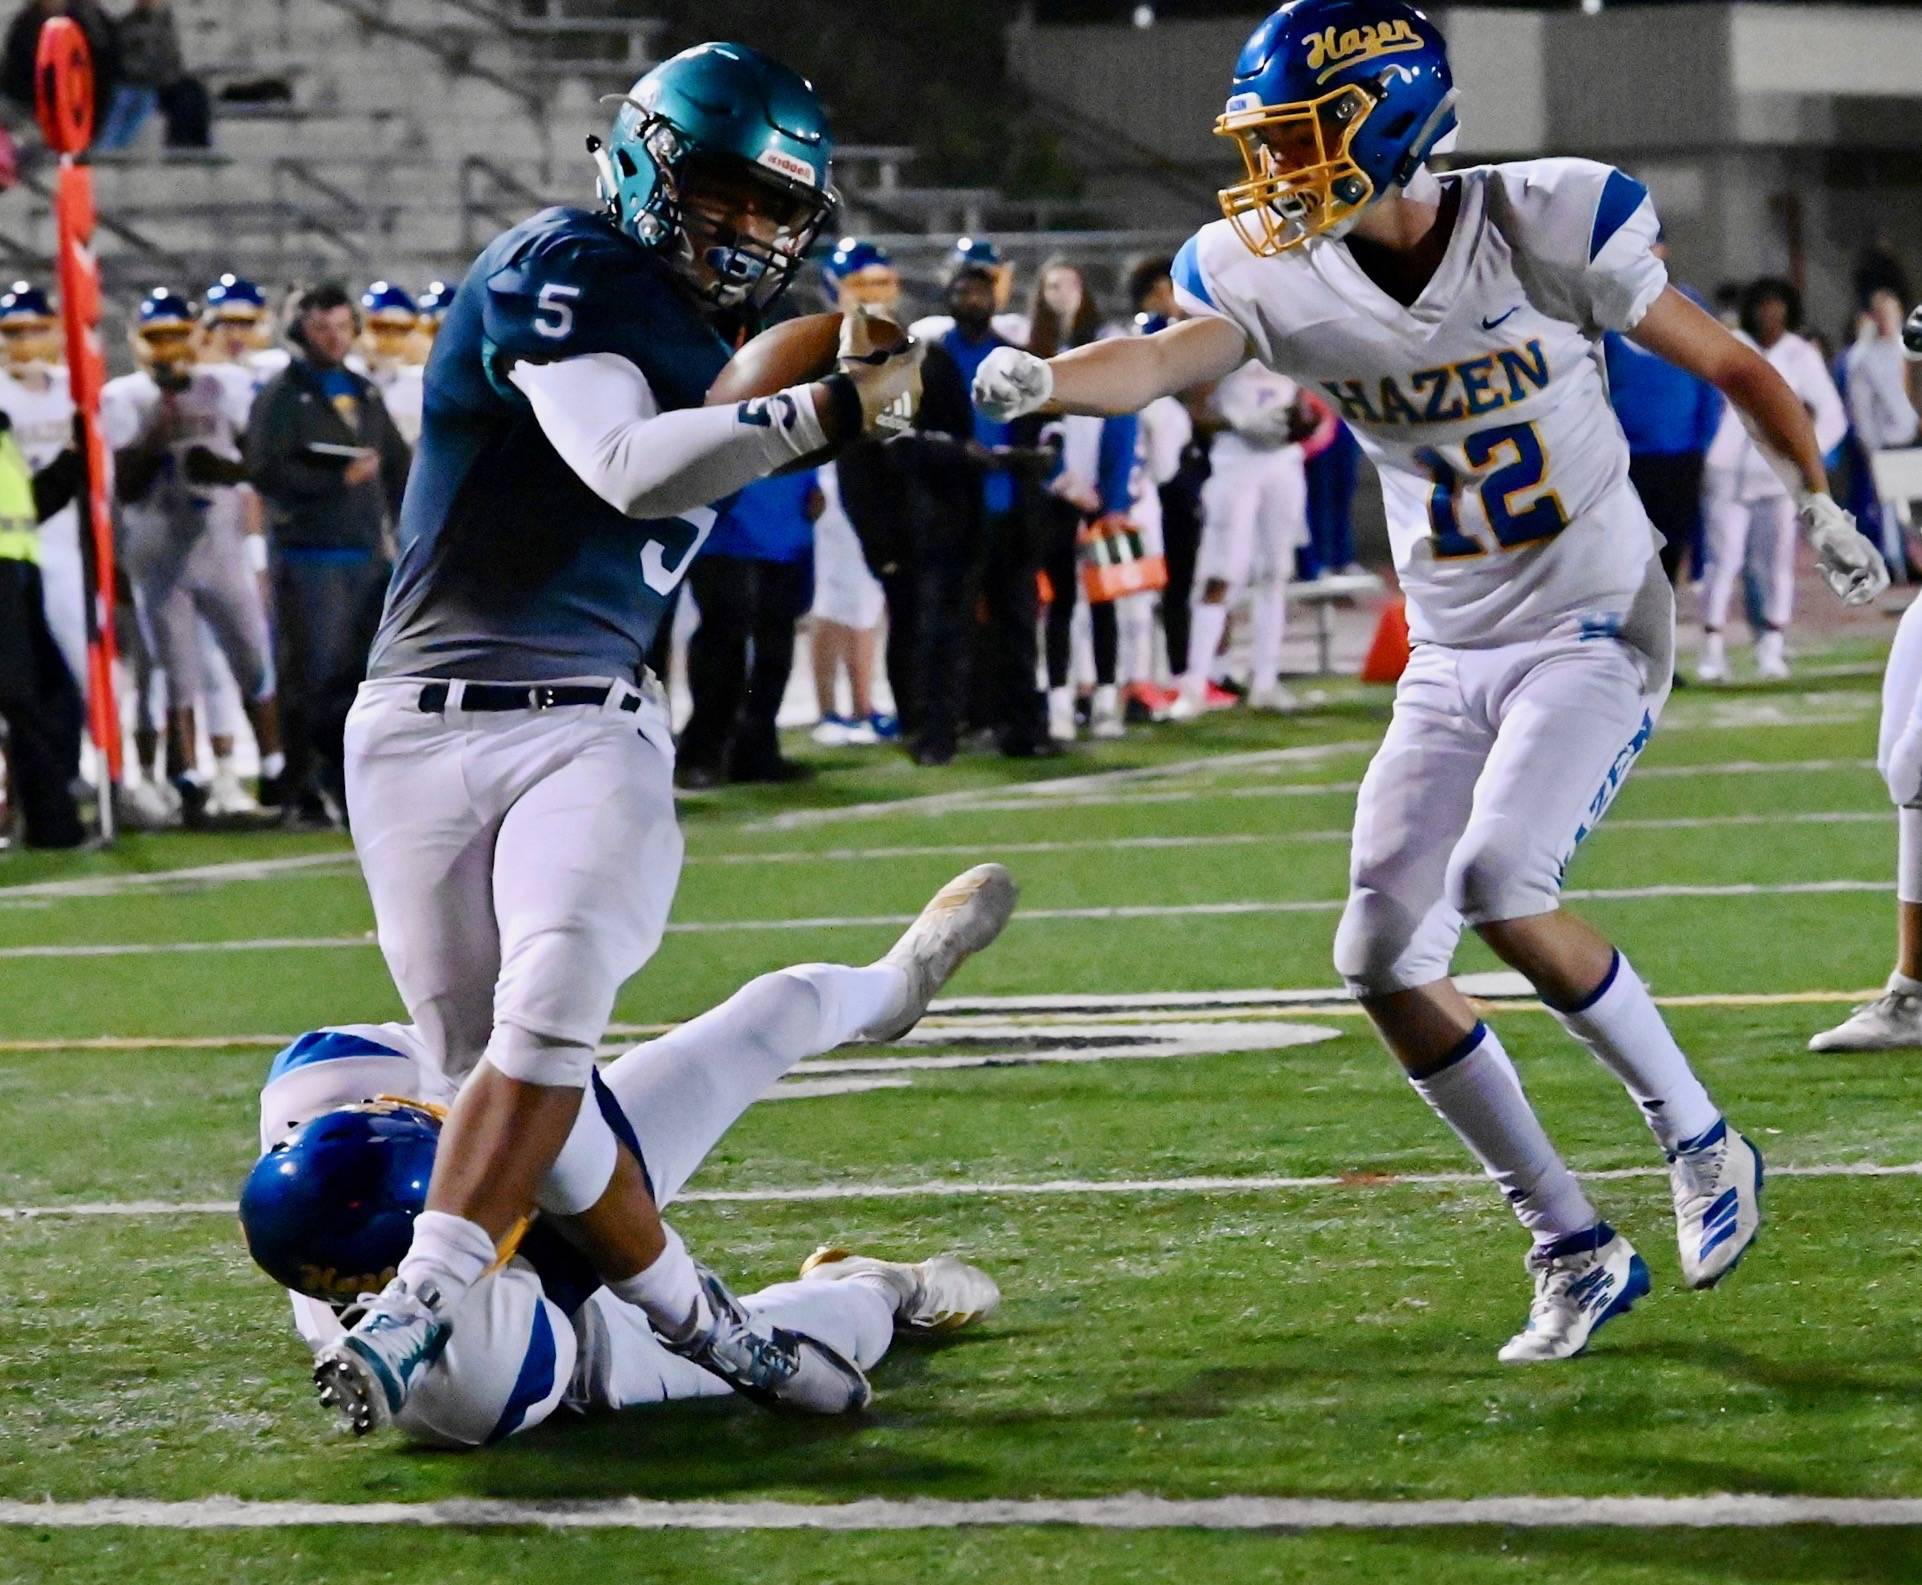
point(64, 93)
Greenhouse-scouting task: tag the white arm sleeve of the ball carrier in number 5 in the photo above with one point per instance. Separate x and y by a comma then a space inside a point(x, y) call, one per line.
point(601, 414)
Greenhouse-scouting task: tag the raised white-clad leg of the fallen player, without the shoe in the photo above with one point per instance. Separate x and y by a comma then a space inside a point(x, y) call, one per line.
point(687, 1088)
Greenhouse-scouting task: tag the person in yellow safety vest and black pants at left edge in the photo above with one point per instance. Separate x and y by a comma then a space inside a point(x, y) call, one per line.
point(39, 700)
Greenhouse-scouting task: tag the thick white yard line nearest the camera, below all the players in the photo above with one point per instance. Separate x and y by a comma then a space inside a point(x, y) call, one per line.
point(1135, 1511)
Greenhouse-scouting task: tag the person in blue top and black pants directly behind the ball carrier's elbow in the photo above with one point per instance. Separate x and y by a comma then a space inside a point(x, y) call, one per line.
point(752, 585)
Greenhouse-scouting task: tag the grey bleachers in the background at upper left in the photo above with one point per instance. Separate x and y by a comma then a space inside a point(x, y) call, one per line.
point(393, 137)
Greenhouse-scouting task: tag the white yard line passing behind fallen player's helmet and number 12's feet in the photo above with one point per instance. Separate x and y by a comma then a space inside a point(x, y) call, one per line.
point(1052, 1188)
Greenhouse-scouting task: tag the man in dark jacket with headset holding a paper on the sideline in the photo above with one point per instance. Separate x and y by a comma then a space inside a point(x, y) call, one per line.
point(332, 468)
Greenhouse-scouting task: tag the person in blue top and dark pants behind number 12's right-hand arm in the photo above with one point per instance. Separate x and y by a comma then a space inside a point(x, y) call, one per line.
point(1669, 420)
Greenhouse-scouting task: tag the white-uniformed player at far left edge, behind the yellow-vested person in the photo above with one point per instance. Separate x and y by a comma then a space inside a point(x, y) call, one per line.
point(34, 395)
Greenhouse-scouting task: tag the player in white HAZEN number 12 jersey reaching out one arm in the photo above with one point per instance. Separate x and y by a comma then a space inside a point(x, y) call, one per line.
point(1454, 322)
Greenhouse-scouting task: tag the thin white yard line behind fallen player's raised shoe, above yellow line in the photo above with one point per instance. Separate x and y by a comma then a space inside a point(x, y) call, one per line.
point(743, 927)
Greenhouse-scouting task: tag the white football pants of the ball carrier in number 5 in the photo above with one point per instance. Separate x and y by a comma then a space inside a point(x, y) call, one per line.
point(522, 864)
